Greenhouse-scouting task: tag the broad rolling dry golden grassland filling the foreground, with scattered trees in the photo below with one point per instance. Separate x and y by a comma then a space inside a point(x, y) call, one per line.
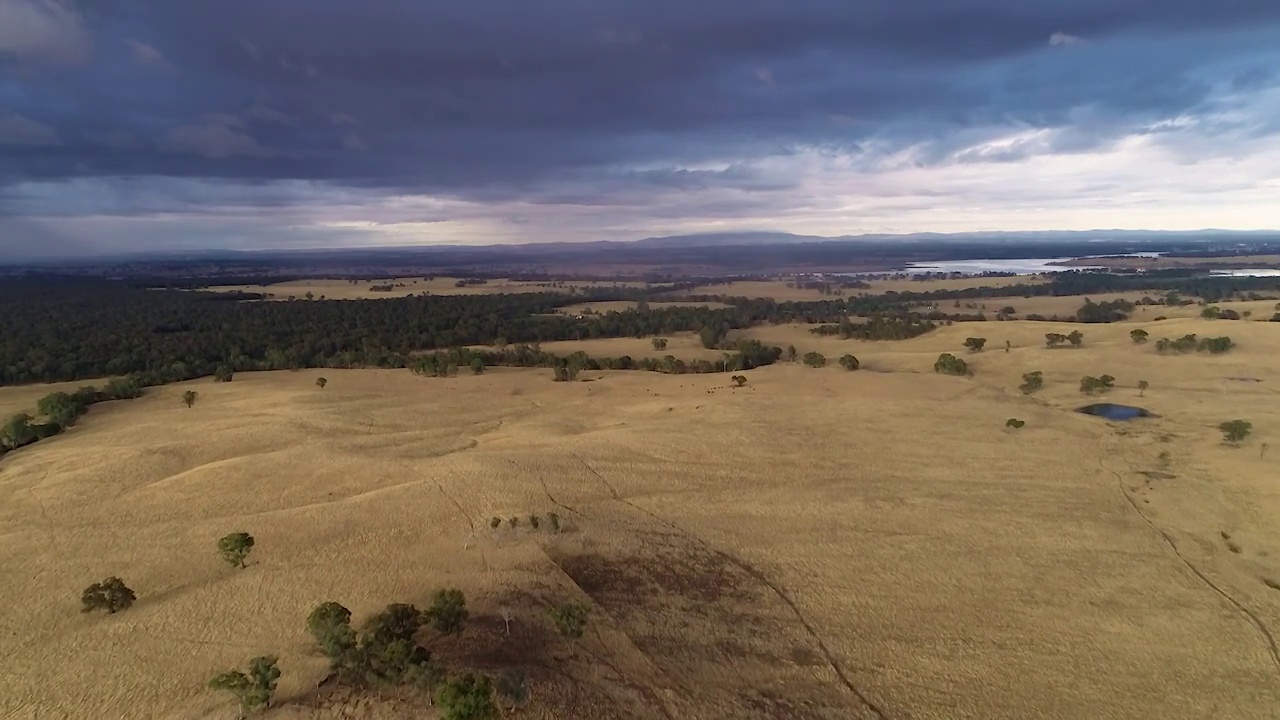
point(816, 545)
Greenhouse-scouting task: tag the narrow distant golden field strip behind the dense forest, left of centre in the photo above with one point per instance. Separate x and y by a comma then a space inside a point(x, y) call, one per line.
point(341, 289)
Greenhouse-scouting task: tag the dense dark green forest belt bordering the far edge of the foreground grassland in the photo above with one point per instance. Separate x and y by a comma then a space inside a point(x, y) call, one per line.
point(61, 329)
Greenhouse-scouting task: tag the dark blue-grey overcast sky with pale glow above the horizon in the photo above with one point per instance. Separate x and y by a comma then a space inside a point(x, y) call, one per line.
point(176, 125)
